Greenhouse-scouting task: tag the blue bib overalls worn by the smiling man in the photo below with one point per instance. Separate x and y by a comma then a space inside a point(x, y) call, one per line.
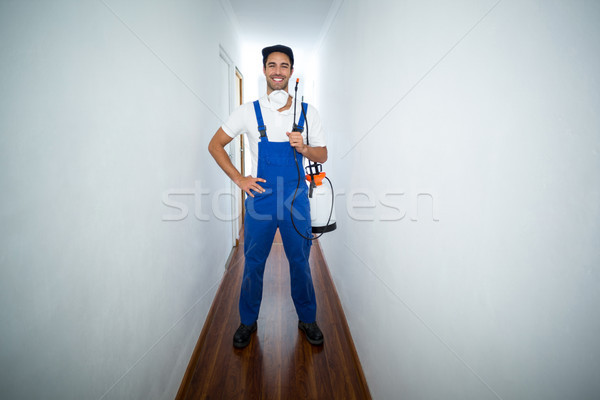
point(265, 212)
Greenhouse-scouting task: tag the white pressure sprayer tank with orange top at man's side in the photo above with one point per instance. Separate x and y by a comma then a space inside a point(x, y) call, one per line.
point(322, 213)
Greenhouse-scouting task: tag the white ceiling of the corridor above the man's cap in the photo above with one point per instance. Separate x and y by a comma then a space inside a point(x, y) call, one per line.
point(297, 24)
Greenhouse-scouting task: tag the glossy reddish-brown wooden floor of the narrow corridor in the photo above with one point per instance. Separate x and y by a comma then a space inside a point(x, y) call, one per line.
point(278, 363)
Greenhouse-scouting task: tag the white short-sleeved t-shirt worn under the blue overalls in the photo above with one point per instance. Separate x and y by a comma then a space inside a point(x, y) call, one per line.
point(243, 120)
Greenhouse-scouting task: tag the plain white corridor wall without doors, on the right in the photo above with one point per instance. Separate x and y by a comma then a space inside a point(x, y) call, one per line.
point(499, 298)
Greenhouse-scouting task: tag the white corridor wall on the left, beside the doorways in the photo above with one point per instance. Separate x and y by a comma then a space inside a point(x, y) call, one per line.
point(106, 106)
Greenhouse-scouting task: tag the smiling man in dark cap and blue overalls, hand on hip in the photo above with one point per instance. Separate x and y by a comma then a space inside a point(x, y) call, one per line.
point(268, 126)
